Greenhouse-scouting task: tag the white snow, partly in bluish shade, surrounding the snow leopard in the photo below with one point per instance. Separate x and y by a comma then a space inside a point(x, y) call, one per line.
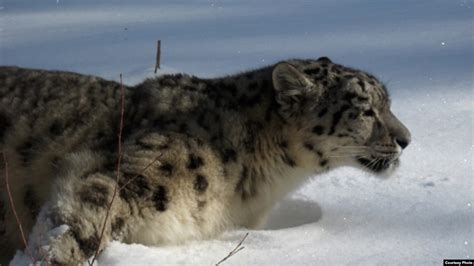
point(422, 50)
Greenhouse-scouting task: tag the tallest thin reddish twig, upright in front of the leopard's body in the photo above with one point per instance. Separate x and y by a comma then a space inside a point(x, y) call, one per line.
point(119, 160)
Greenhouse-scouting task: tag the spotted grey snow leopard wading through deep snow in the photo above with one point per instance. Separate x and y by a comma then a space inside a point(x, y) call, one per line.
point(197, 156)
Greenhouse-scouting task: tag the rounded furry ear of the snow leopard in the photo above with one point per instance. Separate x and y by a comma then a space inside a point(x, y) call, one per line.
point(294, 91)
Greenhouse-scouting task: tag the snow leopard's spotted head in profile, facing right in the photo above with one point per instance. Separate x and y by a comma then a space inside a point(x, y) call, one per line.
point(343, 115)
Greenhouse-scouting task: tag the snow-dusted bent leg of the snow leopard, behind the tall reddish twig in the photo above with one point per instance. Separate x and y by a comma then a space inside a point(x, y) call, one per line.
point(69, 226)
